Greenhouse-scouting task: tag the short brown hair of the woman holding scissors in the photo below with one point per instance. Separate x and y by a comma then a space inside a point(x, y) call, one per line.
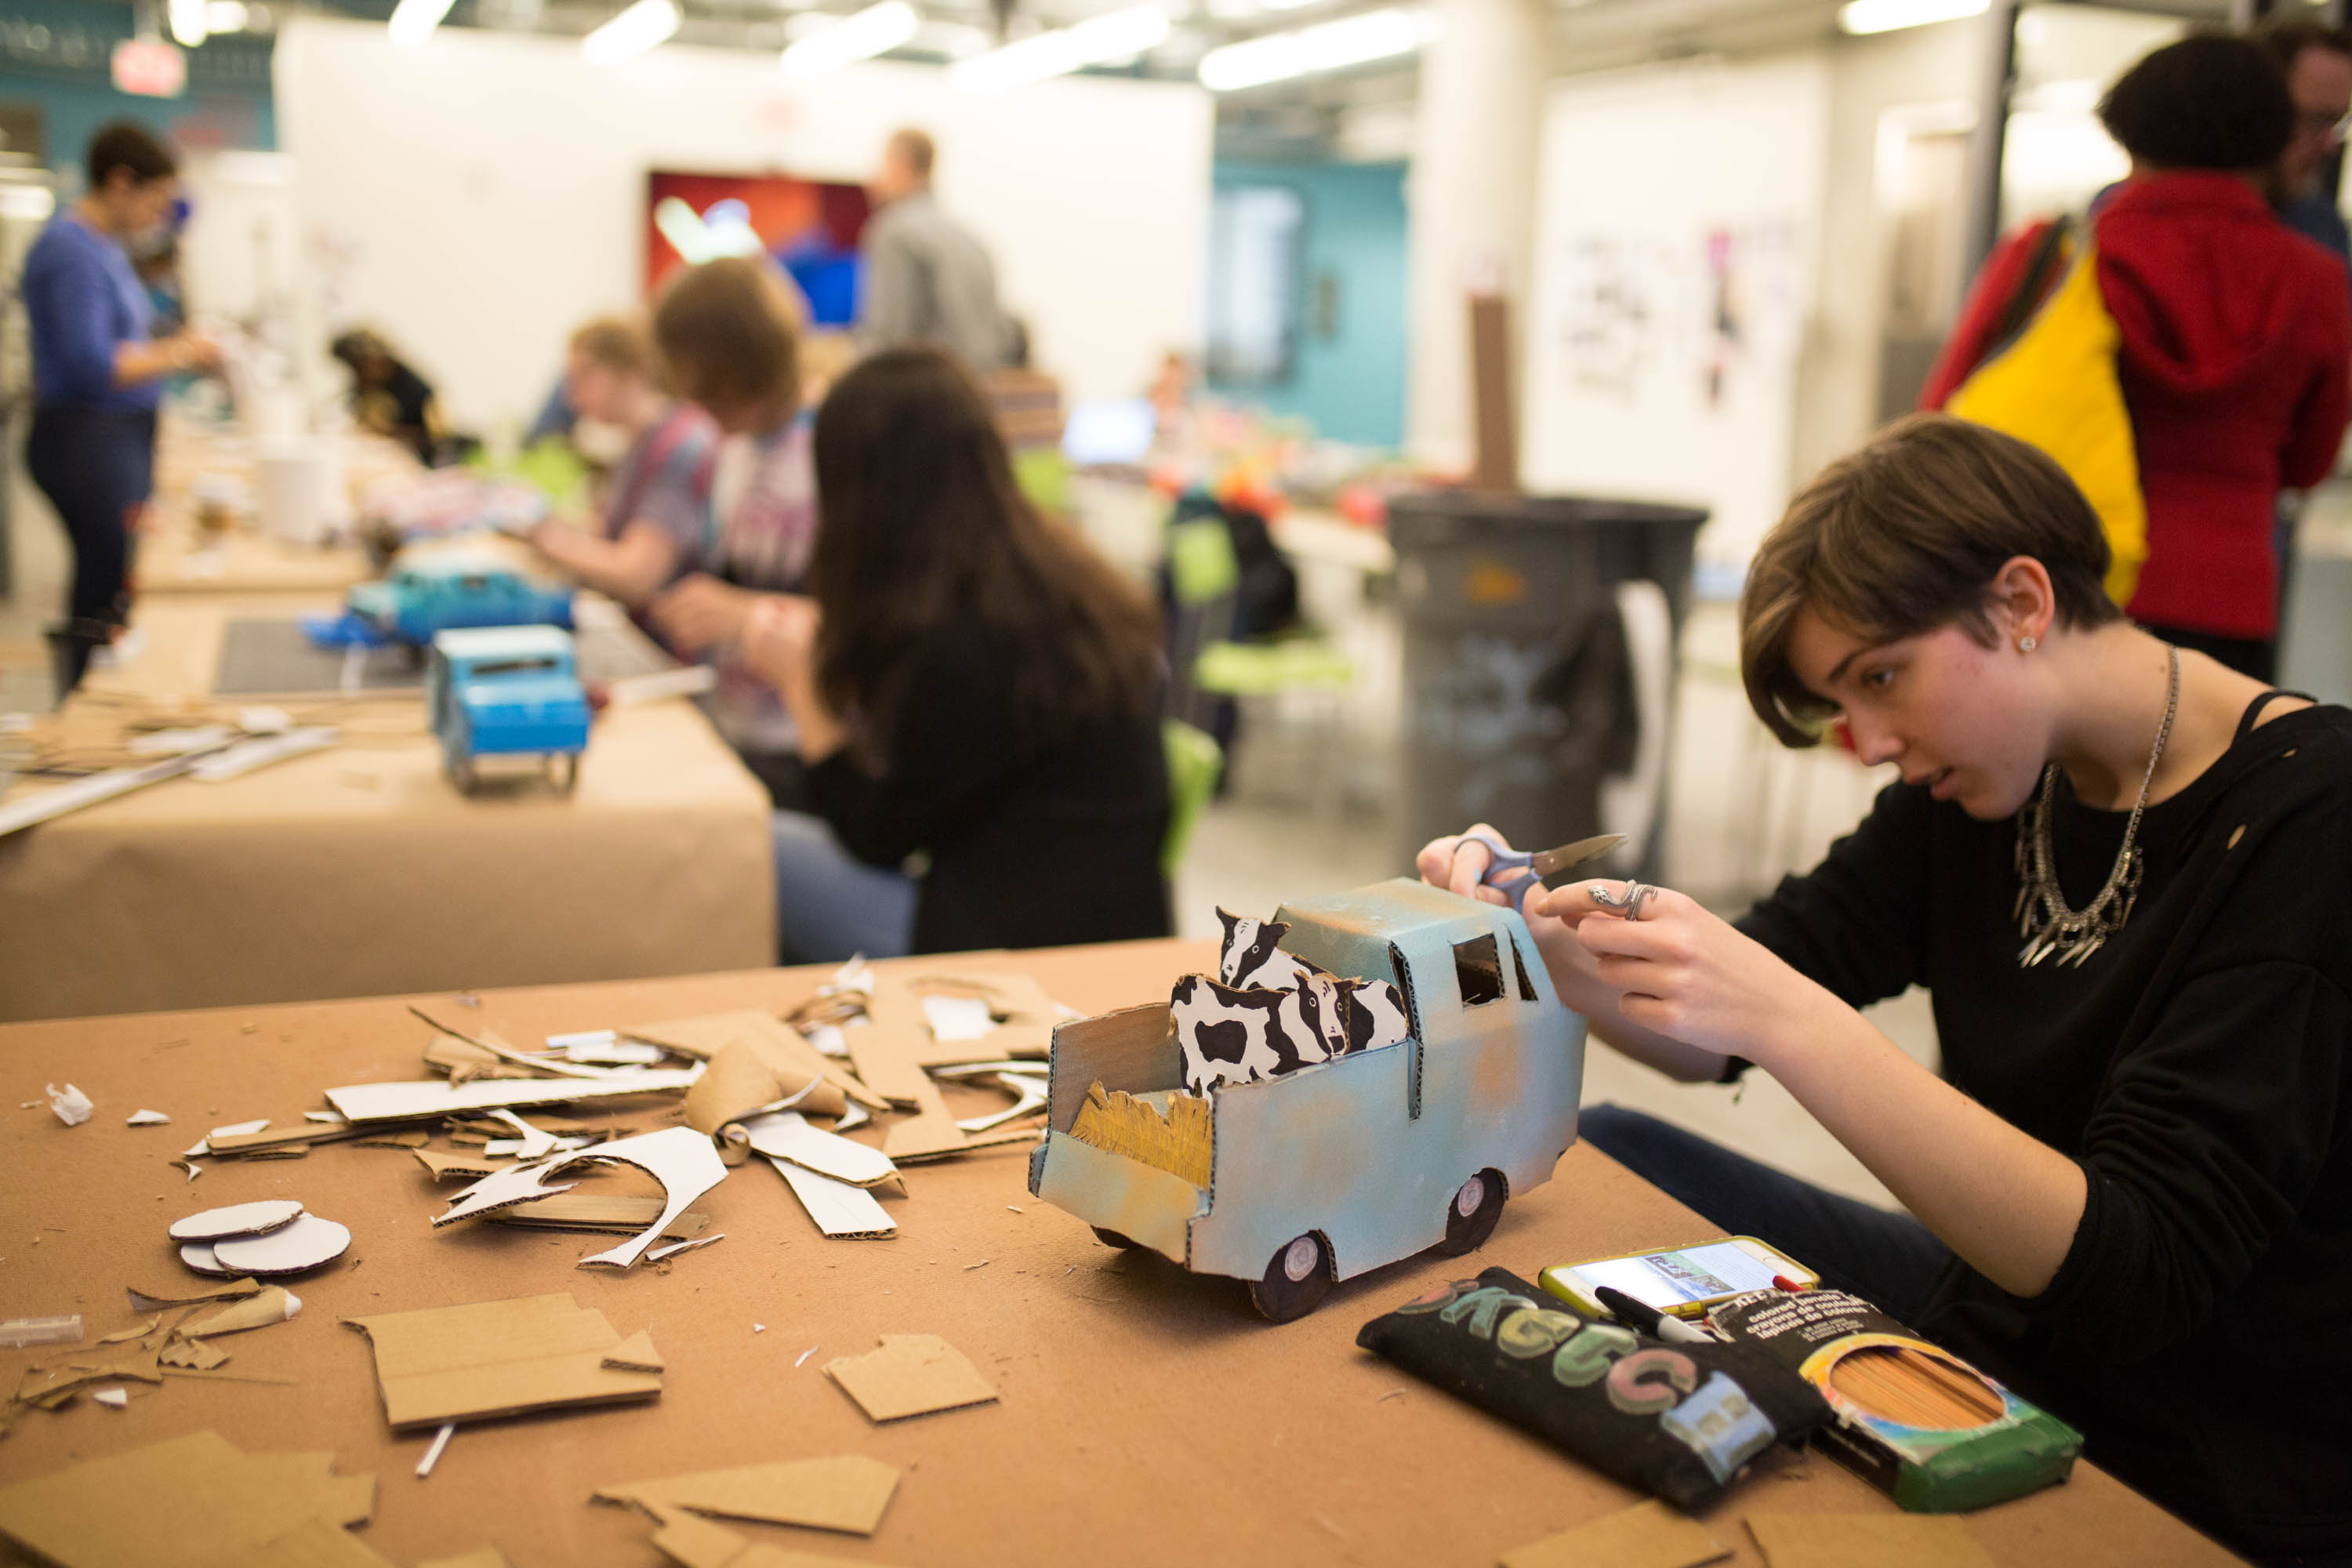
point(1904, 537)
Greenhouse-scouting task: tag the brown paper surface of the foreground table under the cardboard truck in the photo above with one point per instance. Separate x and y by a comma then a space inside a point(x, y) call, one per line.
point(1147, 1416)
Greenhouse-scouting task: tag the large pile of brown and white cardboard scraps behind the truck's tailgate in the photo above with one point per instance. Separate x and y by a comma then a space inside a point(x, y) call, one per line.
point(787, 1090)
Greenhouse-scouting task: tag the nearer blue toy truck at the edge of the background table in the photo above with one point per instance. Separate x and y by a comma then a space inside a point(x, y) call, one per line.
point(507, 692)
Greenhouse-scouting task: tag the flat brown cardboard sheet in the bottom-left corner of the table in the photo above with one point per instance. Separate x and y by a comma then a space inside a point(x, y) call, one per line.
point(192, 1501)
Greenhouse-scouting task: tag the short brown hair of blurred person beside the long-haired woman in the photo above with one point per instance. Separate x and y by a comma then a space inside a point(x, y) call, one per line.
point(730, 337)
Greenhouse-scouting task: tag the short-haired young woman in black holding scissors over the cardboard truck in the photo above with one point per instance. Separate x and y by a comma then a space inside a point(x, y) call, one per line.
point(2123, 873)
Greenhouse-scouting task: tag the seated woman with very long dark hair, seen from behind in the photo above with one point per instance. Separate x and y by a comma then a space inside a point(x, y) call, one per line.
point(970, 681)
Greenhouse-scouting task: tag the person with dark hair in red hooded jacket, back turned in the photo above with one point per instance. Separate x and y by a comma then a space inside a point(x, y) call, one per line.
point(2236, 337)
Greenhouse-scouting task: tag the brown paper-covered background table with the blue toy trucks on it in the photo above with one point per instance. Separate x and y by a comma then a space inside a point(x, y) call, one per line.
point(361, 869)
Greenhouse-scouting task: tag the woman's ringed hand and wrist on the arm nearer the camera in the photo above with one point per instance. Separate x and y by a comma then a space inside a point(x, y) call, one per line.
point(1685, 972)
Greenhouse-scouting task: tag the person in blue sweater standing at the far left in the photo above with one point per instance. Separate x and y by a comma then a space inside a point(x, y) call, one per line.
point(98, 377)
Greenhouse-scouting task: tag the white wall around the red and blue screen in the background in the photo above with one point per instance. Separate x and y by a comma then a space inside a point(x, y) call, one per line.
point(486, 194)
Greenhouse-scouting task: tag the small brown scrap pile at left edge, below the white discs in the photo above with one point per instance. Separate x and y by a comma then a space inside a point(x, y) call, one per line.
point(152, 1348)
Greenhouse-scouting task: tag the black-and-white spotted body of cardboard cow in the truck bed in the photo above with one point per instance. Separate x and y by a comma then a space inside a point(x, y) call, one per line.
point(1243, 1036)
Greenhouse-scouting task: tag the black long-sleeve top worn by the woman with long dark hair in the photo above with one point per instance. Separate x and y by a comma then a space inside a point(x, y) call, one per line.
point(1031, 847)
